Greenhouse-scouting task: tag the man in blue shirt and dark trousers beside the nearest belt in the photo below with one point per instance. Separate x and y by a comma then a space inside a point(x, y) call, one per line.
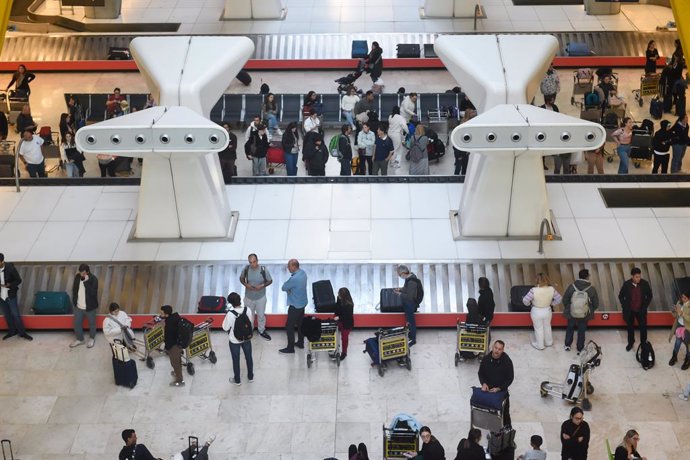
point(296, 289)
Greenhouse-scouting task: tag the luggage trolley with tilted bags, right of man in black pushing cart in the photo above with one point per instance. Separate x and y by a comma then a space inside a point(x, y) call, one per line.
point(576, 386)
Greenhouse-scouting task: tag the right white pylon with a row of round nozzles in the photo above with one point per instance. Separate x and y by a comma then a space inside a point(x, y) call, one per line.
point(504, 193)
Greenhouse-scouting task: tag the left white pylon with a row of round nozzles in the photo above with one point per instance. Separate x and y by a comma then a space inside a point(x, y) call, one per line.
point(182, 193)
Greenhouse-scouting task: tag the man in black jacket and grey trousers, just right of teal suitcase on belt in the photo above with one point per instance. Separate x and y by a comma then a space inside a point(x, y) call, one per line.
point(85, 301)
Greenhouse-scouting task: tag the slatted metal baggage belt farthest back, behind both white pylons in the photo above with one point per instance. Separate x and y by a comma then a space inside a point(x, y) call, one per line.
point(86, 47)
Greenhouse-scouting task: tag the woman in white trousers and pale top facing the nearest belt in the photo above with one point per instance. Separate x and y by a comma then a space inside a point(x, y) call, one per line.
point(542, 297)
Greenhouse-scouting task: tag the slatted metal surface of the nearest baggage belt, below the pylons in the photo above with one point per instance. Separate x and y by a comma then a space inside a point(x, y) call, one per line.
point(142, 287)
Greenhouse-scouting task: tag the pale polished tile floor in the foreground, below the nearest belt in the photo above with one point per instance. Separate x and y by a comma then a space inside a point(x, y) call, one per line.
point(61, 403)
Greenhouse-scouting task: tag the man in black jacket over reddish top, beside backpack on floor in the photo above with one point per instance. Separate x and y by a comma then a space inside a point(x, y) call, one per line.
point(635, 296)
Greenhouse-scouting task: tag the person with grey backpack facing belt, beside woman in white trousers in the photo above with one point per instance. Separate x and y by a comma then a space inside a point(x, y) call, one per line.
point(580, 301)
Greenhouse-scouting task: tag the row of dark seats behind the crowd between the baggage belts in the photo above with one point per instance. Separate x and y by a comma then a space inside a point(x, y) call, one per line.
point(241, 108)
